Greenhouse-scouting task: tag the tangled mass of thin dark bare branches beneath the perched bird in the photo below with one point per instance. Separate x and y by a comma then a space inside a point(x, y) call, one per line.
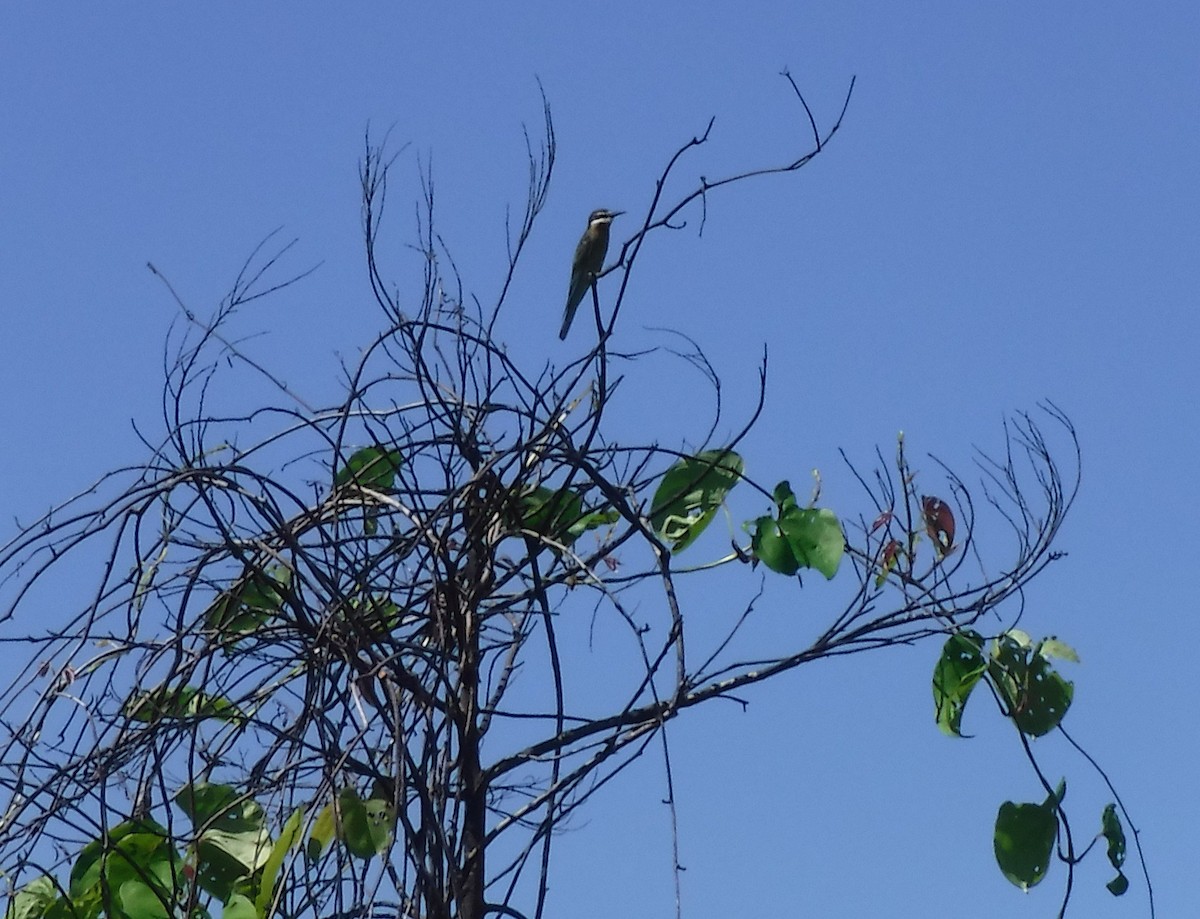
point(326, 636)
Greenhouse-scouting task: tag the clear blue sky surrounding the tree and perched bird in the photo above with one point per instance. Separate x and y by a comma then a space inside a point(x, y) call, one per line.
point(1010, 214)
